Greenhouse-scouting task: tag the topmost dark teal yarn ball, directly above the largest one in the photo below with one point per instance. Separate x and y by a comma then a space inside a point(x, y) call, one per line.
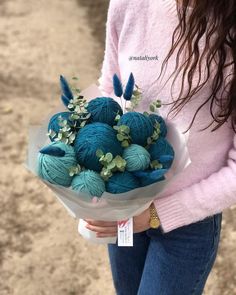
point(104, 110)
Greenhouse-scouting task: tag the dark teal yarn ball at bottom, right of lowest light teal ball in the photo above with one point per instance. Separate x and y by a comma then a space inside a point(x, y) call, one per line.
point(122, 182)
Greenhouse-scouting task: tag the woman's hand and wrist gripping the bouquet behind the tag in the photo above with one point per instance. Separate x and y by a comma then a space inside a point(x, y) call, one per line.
point(109, 228)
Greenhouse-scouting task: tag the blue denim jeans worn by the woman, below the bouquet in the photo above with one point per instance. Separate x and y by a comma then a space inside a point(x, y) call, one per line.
point(174, 263)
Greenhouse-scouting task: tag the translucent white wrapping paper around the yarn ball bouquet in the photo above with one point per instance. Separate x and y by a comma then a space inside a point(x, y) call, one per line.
point(109, 207)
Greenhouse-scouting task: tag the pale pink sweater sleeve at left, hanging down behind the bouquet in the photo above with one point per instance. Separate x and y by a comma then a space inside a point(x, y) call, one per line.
point(110, 62)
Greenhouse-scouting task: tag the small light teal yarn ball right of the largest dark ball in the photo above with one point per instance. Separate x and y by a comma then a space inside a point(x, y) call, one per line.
point(137, 158)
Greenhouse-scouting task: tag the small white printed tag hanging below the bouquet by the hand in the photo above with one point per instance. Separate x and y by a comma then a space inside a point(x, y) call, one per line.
point(125, 233)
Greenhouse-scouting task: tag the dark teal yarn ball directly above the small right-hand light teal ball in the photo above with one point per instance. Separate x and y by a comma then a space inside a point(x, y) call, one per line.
point(141, 127)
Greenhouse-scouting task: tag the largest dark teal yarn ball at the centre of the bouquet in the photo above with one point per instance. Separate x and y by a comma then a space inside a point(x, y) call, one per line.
point(93, 137)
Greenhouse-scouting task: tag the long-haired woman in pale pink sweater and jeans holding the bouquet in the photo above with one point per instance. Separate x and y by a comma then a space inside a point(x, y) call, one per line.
point(185, 54)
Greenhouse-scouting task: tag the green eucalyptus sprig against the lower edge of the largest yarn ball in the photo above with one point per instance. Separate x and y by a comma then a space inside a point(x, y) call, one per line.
point(110, 164)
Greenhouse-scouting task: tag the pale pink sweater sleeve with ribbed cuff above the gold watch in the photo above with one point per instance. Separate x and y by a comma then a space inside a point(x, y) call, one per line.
point(208, 197)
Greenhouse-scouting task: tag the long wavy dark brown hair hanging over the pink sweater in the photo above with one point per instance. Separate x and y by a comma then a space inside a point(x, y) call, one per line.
point(216, 20)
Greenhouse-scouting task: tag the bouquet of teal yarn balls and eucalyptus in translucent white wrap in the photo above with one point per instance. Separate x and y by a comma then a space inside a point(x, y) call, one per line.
point(102, 159)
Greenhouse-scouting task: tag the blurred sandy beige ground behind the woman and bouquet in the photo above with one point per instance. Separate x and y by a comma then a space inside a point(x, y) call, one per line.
point(41, 252)
